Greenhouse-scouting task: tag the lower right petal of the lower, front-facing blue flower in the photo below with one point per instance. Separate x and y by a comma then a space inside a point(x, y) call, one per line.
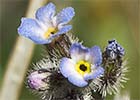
point(95, 73)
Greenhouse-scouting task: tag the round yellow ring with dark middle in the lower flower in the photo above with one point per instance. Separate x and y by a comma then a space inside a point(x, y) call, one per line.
point(83, 67)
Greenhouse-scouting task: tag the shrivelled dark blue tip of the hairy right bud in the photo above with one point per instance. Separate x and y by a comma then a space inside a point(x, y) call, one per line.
point(114, 49)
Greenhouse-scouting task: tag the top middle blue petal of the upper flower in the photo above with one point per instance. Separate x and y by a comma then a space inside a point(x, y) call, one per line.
point(46, 13)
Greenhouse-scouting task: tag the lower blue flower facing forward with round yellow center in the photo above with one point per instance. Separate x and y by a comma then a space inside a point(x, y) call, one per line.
point(83, 65)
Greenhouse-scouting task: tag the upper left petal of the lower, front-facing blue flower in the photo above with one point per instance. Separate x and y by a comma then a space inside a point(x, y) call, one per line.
point(79, 52)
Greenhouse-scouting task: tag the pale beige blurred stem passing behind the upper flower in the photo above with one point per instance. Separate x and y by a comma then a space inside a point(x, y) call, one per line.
point(19, 60)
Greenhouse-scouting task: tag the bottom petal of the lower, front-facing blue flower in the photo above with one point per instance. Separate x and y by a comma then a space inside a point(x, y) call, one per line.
point(77, 80)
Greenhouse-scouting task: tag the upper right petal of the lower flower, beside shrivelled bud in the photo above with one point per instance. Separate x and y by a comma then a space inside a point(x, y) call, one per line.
point(96, 54)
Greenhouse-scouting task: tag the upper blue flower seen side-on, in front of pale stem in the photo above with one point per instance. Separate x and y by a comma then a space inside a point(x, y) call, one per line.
point(46, 26)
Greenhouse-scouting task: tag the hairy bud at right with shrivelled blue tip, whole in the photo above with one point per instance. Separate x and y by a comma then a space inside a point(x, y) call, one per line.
point(115, 69)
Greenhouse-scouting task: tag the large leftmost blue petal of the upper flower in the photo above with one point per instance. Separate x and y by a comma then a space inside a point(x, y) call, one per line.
point(31, 29)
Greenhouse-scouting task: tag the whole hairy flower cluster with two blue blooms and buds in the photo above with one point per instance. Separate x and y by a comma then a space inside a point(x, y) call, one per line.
point(69, 71)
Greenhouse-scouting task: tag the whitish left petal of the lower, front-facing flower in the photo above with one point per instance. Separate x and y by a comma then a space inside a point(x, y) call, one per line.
point(67, 67)
